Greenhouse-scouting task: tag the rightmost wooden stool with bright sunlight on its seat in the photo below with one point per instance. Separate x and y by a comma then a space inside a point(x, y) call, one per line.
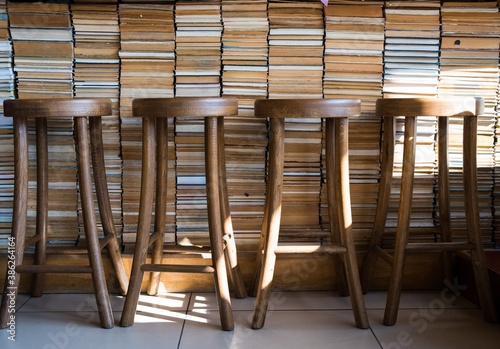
point(411, 108)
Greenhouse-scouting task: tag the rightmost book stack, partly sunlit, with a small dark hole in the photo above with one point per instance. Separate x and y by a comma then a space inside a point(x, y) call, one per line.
point(469, 67)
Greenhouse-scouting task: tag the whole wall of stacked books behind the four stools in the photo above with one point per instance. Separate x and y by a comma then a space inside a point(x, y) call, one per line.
point(251, 49)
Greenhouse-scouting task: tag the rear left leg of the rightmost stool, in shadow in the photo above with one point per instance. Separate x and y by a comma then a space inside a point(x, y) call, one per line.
point(384, 195)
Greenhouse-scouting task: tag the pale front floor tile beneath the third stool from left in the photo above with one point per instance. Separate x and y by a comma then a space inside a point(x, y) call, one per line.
point(283, 329)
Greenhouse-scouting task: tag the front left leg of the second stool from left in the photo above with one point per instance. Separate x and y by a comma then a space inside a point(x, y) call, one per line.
point(144, 223)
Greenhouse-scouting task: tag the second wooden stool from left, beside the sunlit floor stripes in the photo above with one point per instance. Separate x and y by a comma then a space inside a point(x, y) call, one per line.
point(155, 112)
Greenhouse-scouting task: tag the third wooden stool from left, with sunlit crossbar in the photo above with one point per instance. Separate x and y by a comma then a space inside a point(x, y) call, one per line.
point(336, 113)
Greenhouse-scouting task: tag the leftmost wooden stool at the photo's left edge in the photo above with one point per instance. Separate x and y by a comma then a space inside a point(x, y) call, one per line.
point(79, 110)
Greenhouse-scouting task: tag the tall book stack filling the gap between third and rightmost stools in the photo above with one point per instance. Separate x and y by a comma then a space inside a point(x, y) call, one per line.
point(354, 44)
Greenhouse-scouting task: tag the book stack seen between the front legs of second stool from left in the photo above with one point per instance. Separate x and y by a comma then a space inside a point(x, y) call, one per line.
point(197, 74)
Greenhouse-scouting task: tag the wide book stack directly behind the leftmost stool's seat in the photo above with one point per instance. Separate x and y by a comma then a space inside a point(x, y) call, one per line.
point(42, 38)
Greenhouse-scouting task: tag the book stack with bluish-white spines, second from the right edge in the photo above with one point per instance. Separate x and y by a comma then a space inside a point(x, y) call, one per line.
point(411, 69)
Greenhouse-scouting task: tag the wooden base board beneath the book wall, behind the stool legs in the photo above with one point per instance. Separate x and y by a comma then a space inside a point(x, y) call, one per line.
point(293, 273)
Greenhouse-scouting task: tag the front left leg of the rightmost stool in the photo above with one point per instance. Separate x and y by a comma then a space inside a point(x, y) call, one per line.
point(402, 230)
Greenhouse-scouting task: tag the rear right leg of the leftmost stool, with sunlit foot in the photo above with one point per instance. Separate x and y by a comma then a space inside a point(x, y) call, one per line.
point(103, 202)
